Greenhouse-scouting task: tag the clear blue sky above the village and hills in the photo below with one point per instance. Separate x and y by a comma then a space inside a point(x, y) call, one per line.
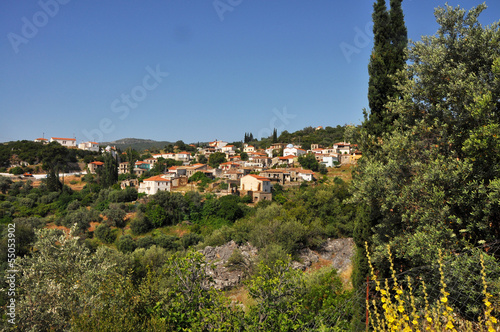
point(98, 69)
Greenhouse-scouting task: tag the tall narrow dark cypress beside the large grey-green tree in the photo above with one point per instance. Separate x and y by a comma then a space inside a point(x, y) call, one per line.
point(387, 58)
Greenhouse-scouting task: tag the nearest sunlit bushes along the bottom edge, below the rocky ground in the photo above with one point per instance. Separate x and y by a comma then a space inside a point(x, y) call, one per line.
point(64, 286)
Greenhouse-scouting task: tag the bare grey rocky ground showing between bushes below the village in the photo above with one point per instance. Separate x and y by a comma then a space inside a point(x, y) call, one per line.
point(337, 252)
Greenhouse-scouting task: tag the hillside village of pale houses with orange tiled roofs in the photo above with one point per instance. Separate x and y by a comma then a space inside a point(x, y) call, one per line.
point(247, 171)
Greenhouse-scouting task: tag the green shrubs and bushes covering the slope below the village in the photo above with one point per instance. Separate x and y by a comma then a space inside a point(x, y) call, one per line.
point(133, 274)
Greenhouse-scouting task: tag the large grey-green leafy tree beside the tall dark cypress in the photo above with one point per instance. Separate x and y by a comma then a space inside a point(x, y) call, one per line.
point(429, 180)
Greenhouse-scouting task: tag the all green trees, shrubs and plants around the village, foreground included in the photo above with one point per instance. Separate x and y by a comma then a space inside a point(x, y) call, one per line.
point(427, 189)
